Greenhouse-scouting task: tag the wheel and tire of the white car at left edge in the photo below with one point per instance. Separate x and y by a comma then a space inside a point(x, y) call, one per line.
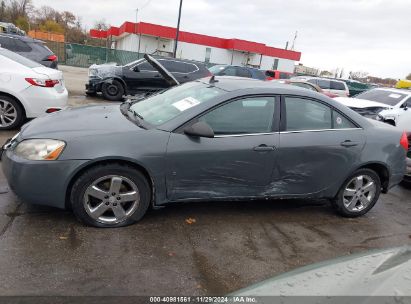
point(8, 106)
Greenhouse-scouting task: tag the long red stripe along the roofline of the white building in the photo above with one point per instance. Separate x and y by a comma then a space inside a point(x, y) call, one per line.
point(170, 33)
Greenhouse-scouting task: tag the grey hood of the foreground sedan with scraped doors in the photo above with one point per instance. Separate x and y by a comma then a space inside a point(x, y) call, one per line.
point(77, 122)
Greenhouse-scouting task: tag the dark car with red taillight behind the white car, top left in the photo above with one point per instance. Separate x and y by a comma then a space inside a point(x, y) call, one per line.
point(30, 48)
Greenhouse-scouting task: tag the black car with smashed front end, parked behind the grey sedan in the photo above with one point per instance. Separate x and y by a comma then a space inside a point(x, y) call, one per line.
point(140, 77)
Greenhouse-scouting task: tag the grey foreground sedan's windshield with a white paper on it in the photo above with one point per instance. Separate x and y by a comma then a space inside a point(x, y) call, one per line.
point(168, 104)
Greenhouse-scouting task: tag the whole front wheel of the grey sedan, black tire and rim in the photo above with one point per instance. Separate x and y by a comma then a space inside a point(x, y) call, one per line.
point(95, 196)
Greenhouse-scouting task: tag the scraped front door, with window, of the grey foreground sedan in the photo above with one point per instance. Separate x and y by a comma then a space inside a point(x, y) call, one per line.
point(237, 162)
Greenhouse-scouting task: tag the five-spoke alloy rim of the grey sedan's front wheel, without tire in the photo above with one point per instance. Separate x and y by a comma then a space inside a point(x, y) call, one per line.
point(111, 199)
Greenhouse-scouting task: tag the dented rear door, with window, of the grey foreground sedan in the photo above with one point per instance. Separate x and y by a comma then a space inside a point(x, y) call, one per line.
point(319, 146)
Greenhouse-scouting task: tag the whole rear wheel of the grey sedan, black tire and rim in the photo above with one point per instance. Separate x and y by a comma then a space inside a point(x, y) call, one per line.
point(354, 199)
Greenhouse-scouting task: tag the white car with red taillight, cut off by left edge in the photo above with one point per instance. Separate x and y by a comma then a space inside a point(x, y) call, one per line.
point(27, 90)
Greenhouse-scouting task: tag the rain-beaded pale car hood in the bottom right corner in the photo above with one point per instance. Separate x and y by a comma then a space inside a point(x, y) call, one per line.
point(378, 273)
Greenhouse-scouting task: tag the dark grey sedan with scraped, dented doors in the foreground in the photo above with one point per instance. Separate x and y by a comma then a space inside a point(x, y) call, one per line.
point(218, 138)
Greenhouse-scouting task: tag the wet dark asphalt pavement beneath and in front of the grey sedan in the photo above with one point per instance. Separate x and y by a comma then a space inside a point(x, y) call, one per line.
point(184, 249)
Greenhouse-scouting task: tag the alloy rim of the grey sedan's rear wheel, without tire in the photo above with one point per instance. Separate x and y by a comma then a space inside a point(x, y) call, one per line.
point(359, 193)
